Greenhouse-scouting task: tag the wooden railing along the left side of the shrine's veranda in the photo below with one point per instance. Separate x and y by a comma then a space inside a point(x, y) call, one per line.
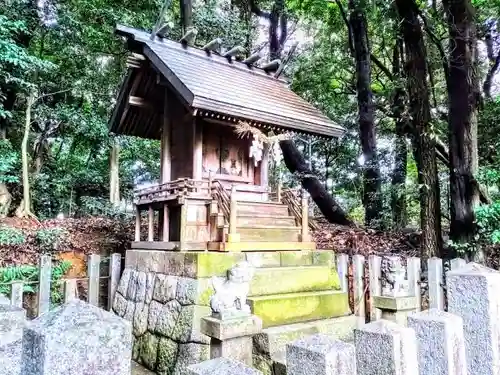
point(172, 190)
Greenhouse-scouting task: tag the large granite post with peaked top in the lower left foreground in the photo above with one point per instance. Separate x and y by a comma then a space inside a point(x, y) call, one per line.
point(77, 339)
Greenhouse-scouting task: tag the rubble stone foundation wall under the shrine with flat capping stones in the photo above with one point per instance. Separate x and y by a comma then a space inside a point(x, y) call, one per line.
point(166, 293)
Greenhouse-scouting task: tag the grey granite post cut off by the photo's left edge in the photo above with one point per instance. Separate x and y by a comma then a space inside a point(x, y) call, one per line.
point(12, 320)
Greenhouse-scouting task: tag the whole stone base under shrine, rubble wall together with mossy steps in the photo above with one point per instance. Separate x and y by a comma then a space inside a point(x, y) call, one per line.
point(166, 293)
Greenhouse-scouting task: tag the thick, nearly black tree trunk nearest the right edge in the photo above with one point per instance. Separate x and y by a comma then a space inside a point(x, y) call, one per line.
point(463, 98)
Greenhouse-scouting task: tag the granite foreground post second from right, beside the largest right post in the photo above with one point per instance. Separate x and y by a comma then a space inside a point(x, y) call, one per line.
point(440, 342)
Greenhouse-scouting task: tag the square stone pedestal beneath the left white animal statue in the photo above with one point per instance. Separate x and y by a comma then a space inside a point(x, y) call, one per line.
point(232, 337)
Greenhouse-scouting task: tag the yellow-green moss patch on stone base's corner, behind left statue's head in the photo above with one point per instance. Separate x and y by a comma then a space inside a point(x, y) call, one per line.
point(210, 264)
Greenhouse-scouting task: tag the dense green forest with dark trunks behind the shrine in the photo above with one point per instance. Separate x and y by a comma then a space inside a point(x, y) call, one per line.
point(414, 83)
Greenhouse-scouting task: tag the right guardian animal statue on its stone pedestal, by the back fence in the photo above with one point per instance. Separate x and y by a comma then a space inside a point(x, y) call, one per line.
point(395, 303)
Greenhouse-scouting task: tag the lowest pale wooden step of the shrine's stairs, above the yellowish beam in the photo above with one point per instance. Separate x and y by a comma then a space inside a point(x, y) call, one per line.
point(267, 233)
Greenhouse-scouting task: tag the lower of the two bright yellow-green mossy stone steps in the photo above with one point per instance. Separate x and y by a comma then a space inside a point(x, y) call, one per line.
point(279, 309)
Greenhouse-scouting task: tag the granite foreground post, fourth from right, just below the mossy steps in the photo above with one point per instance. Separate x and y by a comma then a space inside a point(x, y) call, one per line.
point(320, 355)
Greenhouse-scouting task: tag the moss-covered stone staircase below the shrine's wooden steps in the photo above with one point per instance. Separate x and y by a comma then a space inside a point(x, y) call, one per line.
point(295, 294)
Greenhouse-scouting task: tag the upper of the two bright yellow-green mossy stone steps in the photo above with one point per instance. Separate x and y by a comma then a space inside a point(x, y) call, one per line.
point(280, 280)
